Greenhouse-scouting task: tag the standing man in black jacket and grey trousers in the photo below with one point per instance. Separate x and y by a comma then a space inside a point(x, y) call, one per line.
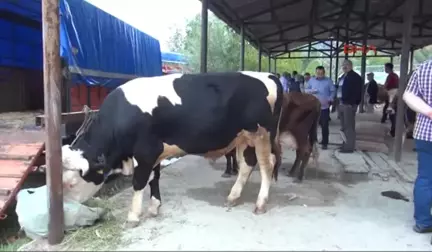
point(349, 93)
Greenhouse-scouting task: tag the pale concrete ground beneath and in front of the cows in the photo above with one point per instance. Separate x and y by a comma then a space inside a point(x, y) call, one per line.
point(334, 210)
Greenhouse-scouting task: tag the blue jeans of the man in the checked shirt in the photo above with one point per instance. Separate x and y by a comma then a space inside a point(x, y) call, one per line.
point(423, 185)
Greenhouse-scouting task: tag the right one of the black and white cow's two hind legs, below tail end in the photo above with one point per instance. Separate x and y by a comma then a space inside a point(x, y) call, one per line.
point(266, 161)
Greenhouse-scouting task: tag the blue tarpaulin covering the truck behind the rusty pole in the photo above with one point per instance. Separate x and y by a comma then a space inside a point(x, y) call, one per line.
point(99, 48)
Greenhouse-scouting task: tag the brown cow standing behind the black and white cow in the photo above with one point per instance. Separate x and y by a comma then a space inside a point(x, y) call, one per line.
point(298, 129)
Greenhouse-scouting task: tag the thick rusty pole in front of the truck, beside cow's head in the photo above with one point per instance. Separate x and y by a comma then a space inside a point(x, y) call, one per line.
point(52, 106)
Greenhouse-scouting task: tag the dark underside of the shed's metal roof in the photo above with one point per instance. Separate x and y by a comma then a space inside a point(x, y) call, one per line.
point(281, 25)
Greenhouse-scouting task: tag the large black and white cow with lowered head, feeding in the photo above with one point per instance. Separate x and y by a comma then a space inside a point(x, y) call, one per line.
point(151, 119)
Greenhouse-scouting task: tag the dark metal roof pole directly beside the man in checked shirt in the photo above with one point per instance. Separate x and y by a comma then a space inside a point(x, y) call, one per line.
point(406, 44)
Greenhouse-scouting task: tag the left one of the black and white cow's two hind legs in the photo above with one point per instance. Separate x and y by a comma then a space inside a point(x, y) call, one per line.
point(246, 160)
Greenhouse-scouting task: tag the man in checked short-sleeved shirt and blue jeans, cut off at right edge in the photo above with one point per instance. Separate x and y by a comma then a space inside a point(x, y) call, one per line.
point(418, 96)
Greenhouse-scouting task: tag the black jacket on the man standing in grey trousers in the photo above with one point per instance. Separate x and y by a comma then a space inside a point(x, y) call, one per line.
point(352, 88)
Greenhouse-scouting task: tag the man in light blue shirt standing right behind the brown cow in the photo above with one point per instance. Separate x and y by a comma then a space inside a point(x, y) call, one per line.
point(322, 88)
